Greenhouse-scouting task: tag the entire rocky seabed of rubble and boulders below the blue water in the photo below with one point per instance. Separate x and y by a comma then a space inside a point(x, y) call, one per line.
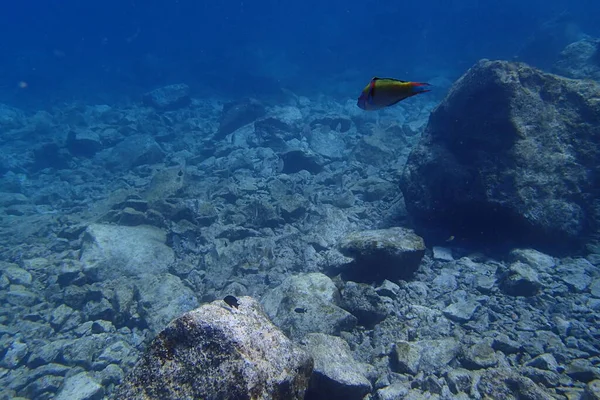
point(115, 228)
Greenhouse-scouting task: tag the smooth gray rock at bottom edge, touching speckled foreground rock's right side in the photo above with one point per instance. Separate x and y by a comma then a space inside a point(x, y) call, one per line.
point(336, 374)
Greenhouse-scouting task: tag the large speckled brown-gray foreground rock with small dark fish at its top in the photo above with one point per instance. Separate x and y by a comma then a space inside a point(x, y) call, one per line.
point(217, 351)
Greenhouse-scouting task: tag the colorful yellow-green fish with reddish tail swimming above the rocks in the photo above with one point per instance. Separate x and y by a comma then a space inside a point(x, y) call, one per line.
point(385, 92)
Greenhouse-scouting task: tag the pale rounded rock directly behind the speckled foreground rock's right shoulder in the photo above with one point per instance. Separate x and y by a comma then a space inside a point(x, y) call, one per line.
point(307, 303)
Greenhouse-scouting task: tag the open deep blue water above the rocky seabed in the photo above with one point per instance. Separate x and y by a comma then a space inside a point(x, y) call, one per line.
point(73, 49)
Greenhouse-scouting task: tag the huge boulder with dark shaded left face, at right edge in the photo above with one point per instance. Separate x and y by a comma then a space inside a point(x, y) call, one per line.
point(511, 153)
